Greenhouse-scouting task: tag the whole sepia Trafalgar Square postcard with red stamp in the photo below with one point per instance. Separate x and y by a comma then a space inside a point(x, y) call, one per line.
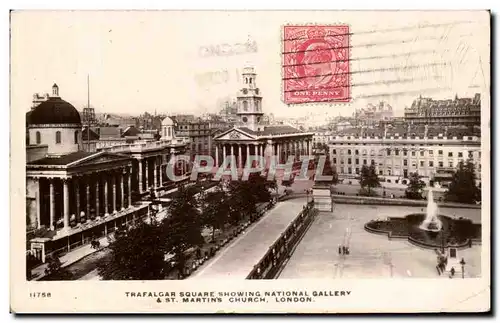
point(241, 146)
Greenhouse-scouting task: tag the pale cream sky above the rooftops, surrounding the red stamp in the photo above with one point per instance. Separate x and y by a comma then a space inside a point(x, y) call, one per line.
point(164, 61)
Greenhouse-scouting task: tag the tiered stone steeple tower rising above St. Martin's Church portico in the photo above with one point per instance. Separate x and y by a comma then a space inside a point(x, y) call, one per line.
point(250, 102)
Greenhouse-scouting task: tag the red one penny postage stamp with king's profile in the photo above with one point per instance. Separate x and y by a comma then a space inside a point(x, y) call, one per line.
point(316, 64)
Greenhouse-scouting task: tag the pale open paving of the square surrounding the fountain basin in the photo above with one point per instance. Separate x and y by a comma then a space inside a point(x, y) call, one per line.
point(371, 255)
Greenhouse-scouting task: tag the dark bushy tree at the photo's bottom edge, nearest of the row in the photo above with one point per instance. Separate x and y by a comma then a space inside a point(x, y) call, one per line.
point(137, 255)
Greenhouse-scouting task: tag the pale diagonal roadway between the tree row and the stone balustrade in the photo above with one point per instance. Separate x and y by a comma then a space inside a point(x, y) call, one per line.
point(238, 259)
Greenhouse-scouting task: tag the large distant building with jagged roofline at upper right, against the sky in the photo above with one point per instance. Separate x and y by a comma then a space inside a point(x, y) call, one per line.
point(459, 111)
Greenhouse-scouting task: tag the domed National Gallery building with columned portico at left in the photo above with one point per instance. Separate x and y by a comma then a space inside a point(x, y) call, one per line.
point(72, 194)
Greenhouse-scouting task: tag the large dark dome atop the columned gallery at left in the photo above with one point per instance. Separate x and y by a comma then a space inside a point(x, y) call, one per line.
point(54, 111)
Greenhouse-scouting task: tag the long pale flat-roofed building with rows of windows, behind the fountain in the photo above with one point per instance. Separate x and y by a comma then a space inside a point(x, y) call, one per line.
point(396, 156)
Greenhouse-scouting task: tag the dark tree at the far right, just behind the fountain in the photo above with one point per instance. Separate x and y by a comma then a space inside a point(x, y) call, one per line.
point(463, 187)
